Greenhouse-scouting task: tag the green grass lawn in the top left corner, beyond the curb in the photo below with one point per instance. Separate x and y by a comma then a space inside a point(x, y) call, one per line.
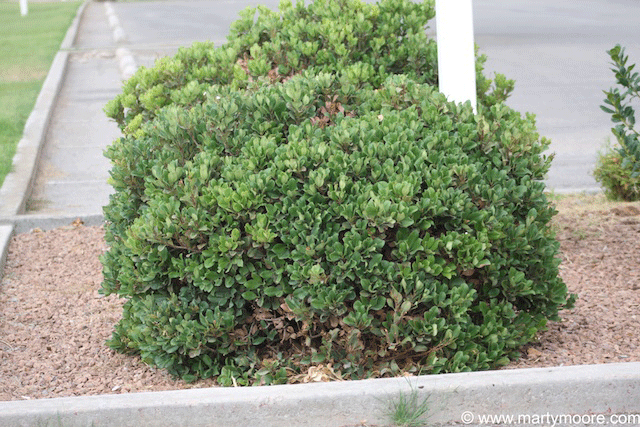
point(29, 44)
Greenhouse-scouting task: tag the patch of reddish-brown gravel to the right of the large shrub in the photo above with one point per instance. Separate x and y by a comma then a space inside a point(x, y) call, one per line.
point(600, 244)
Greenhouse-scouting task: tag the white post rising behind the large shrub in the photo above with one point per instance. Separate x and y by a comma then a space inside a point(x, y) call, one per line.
point(456, 50)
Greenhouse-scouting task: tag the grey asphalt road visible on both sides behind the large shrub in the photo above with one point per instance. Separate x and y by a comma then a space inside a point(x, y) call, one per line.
point(555, 51)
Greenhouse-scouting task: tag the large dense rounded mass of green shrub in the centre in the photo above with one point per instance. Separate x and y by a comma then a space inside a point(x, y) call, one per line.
point(345, 215)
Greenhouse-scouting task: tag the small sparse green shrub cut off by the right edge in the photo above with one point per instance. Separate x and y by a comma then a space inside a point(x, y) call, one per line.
point(619, 170)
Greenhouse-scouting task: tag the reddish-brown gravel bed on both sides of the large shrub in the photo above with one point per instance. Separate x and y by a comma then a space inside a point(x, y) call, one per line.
point(54, 323)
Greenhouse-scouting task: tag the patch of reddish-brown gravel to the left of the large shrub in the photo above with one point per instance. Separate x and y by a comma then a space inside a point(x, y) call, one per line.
point(53, 322)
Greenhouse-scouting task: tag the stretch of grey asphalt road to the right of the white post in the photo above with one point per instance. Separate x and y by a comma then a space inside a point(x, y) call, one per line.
point(556, 53)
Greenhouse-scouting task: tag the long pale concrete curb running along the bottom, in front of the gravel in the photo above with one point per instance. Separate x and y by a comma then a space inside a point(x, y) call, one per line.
point(577, 390)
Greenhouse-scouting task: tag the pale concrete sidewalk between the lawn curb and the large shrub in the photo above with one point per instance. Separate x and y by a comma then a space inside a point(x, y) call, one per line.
point(73, 172)
